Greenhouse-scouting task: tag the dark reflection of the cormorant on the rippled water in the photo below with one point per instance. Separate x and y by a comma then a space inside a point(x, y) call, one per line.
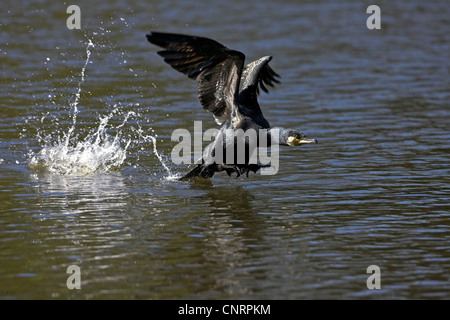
point(233, 248)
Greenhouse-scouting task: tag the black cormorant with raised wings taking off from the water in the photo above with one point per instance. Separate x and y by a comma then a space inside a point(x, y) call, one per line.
point(228, 90)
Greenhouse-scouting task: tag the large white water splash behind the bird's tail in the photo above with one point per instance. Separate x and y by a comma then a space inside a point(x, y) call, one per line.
point(103, 149)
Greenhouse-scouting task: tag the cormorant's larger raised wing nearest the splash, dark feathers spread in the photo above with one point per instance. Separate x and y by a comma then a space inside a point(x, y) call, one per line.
point(217, 68)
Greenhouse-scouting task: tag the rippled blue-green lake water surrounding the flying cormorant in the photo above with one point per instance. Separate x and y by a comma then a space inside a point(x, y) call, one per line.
point(85, 135)
